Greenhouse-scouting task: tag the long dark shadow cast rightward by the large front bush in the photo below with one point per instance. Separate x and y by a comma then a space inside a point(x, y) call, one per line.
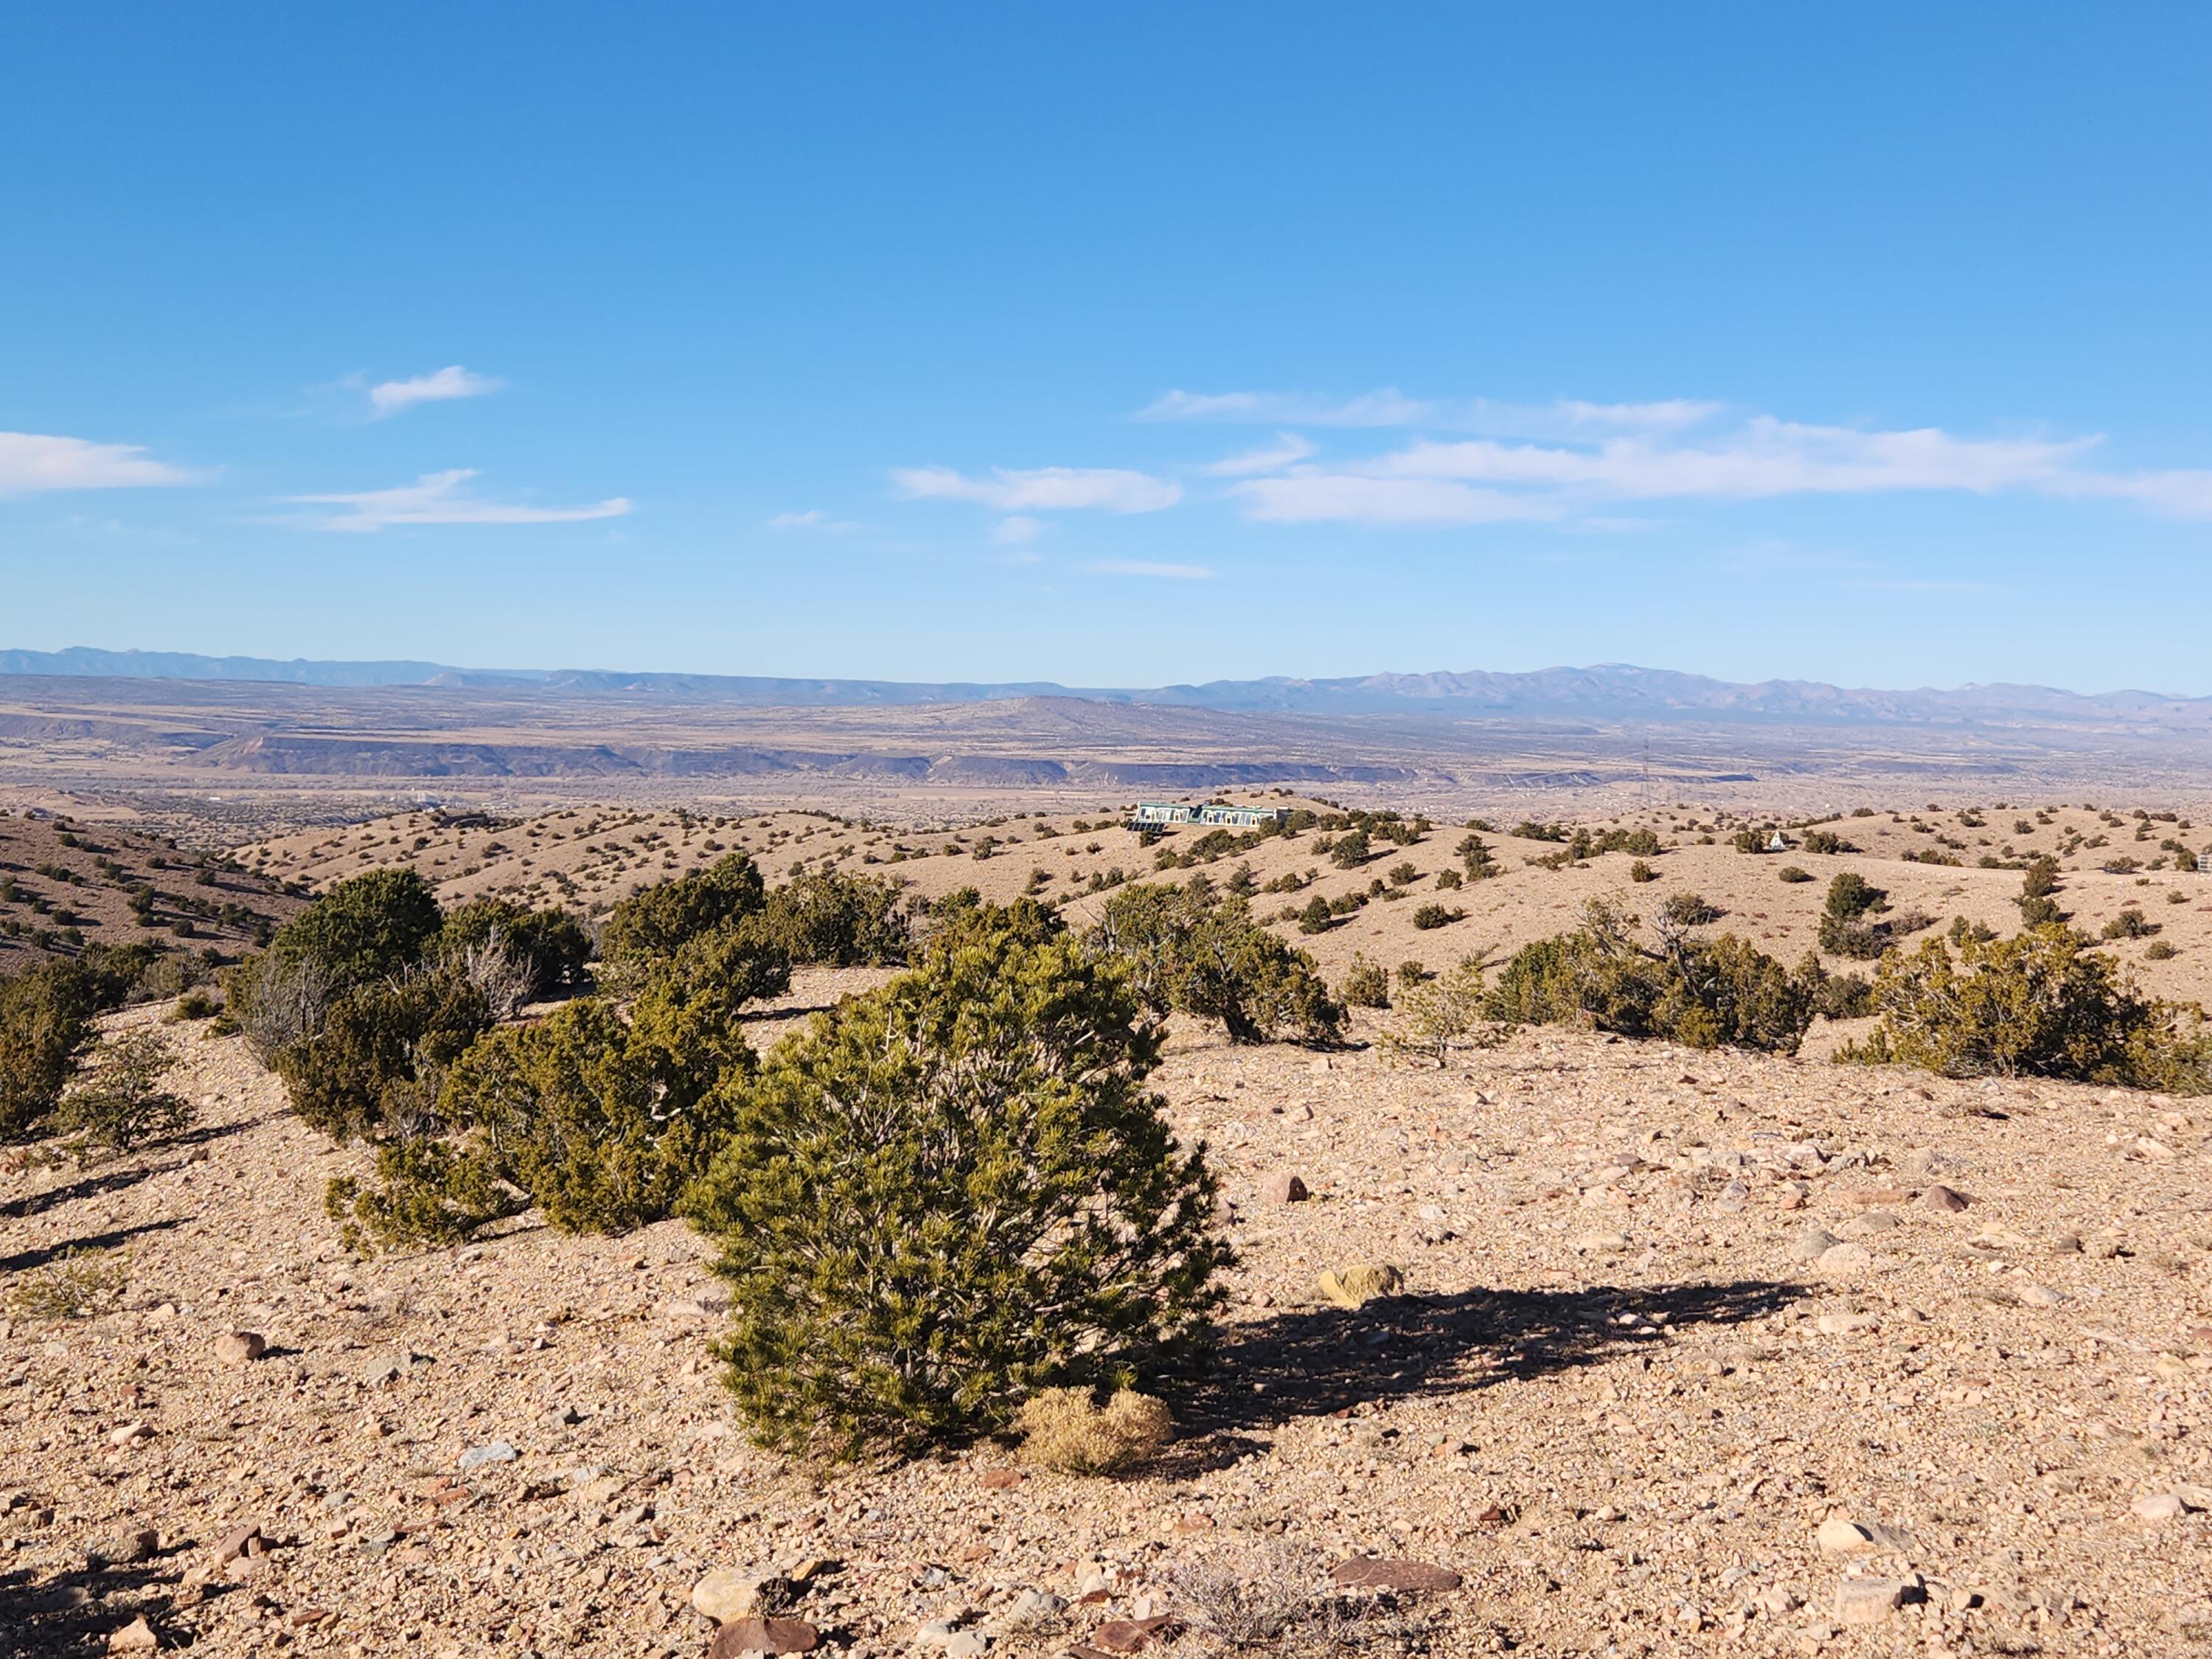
point(1317, 1361)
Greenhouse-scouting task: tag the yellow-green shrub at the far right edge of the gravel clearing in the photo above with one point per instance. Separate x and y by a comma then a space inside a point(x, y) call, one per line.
point(2038, 1005)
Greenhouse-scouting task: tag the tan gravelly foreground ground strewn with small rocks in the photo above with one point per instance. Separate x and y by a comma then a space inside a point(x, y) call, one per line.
point(1693, 1353)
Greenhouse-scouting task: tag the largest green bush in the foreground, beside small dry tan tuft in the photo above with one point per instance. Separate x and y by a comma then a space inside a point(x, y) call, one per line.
point(952, 1193)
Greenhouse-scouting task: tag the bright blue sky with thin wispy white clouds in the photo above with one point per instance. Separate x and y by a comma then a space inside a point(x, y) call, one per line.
point(1114, 344)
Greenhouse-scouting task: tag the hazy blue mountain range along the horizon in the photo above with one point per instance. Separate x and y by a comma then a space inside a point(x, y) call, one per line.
point(1598, 693)
